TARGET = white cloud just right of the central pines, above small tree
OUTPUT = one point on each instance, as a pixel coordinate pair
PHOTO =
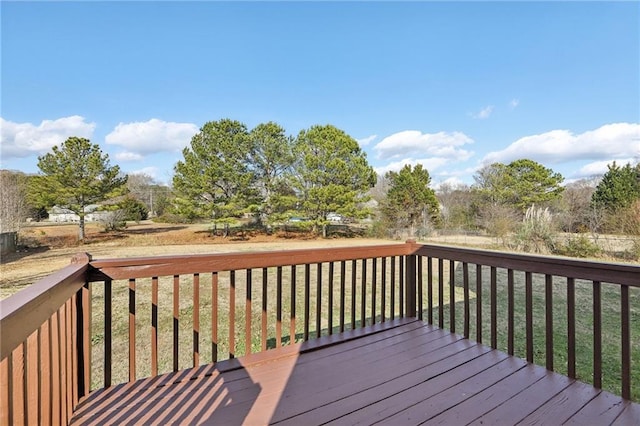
(413, 143)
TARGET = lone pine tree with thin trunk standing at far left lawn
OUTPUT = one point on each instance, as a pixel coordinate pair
(76, 175)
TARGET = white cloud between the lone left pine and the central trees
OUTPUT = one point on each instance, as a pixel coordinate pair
(152, 136)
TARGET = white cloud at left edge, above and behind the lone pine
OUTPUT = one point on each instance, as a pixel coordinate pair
(25, 139)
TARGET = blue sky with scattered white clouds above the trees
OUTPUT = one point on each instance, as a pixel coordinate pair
(450, 85)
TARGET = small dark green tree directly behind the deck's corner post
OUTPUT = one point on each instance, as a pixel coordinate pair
(410, 202)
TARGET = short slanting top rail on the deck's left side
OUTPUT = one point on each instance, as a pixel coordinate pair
(23, 312)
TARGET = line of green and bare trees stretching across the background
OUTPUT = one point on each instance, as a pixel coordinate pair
(229, 171)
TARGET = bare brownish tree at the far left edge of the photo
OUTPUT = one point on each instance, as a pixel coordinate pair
(13, 197)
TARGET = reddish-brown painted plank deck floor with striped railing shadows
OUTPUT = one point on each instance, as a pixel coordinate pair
(400, 372)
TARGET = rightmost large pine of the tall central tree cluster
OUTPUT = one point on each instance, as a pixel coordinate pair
(331, 175)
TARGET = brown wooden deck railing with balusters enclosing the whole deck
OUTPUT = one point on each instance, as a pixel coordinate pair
(102, 322)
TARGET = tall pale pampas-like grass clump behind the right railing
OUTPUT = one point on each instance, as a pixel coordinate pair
(536, 233)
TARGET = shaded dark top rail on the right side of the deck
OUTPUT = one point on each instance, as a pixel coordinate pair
(617, 273)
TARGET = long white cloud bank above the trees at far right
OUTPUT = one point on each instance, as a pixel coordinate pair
(617, 140)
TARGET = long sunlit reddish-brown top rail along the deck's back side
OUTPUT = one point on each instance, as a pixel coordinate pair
(144, 267)
